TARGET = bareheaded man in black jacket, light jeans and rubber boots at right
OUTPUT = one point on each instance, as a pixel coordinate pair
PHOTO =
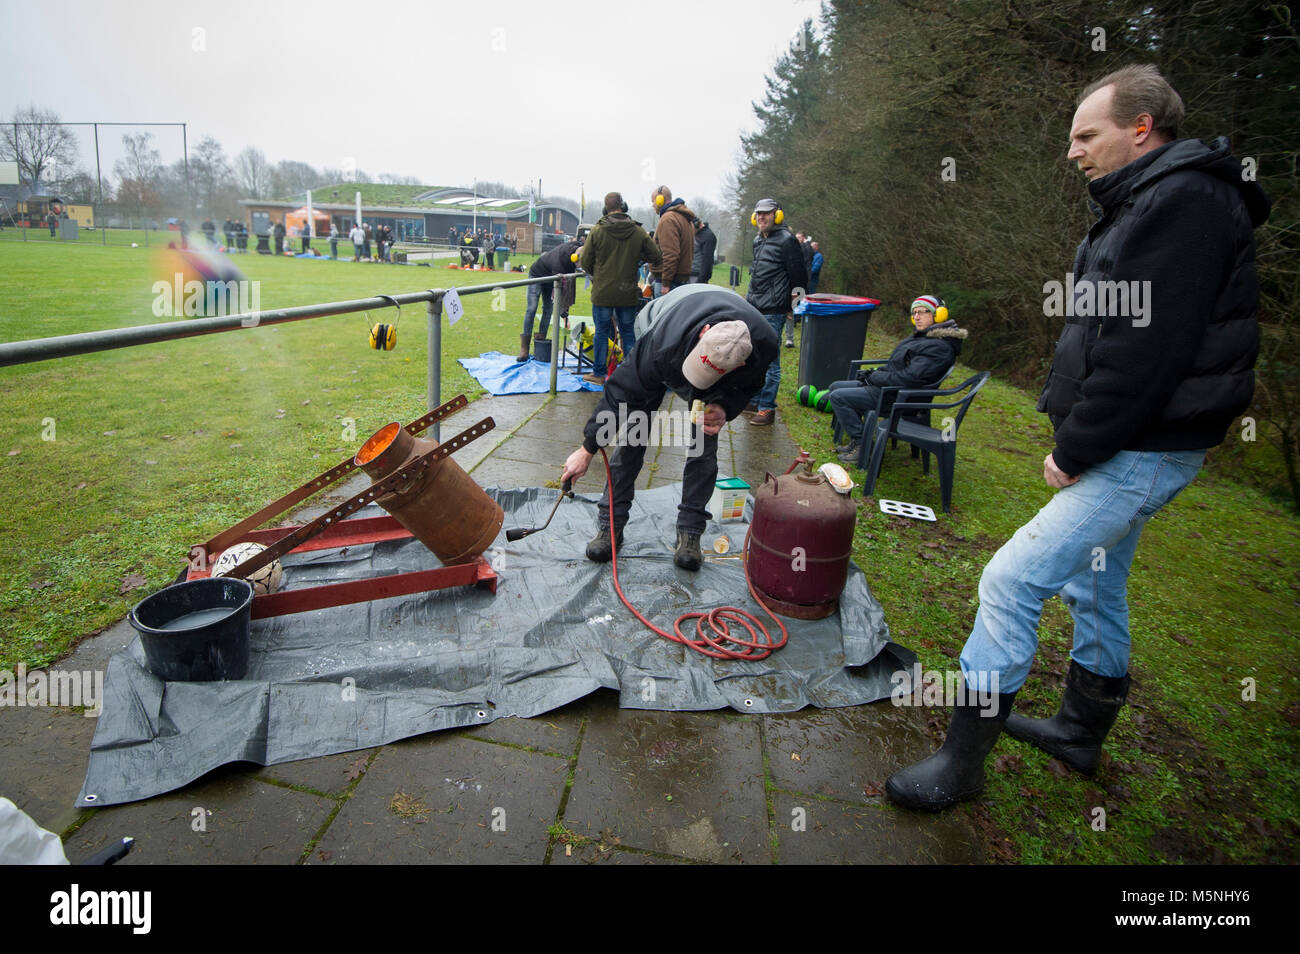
(1154, 366)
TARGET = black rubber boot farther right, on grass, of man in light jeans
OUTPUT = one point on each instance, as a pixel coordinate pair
(1076, 734)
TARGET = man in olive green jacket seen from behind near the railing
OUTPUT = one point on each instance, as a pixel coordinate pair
(612, 255)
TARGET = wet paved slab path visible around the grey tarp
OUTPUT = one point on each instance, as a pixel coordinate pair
(584, 784)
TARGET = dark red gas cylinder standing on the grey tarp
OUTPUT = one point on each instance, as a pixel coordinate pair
(800, 544)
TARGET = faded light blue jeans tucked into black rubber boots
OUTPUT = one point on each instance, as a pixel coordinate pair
(1081, 545)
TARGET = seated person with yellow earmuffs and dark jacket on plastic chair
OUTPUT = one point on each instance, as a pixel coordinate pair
(921, 361)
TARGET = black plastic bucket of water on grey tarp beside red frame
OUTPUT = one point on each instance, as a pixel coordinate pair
(197, 631)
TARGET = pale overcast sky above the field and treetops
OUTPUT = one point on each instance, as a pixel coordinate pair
(614, 96)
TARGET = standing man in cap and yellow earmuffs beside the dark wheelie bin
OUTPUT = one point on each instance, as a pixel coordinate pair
(777, 275)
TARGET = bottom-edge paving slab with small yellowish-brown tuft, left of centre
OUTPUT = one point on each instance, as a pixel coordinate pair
(444, 799)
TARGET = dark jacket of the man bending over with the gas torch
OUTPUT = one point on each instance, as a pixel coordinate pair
(642, 383)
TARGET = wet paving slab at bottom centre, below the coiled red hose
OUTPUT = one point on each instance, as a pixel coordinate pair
(679, 783)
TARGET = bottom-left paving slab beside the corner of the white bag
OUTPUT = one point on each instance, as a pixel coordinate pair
(244, 821)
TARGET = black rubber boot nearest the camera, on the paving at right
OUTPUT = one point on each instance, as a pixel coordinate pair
(956, 773)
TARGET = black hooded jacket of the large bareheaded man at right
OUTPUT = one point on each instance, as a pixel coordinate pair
(1172, 371)
